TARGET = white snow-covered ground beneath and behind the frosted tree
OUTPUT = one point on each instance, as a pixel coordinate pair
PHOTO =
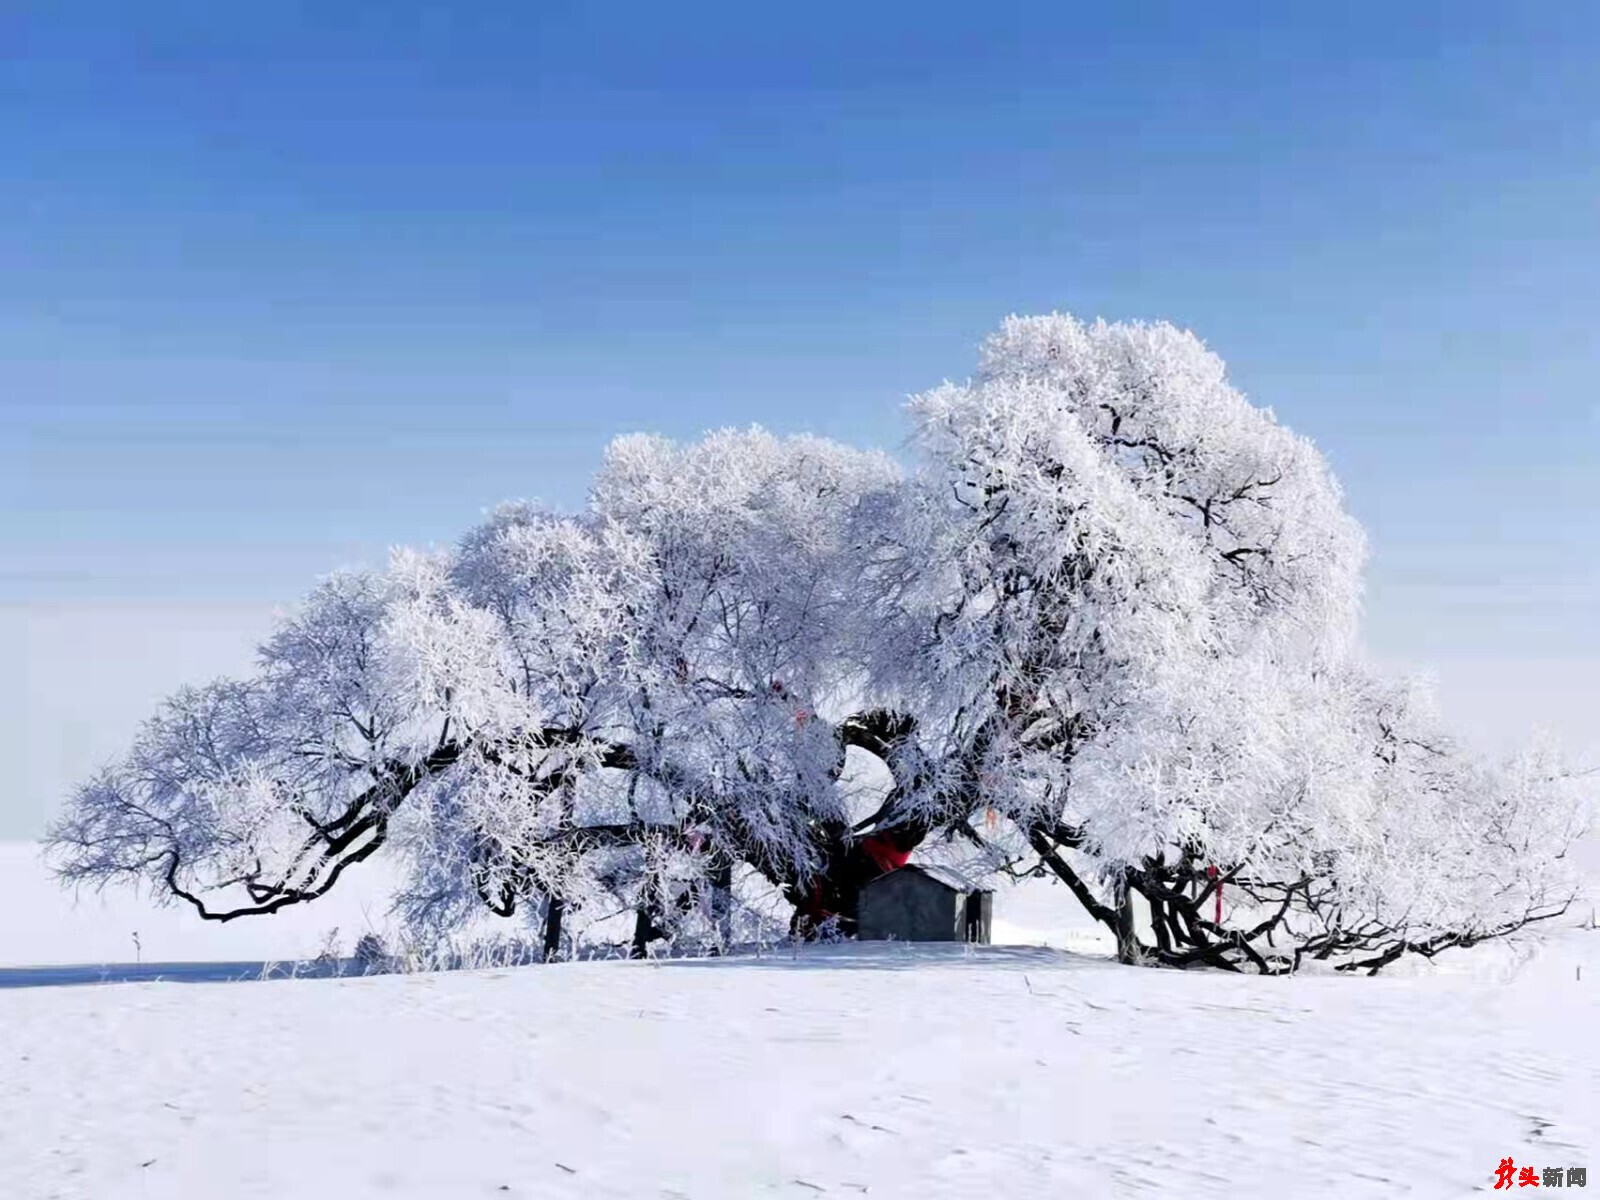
(849, 1071)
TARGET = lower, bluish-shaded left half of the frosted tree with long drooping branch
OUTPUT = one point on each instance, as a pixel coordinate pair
(620, 705)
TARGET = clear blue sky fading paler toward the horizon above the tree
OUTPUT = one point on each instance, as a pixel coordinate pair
(284, 286)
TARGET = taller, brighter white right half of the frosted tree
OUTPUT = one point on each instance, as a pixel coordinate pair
(1135, 638)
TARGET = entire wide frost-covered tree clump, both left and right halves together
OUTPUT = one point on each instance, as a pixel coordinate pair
(1113, 610)
